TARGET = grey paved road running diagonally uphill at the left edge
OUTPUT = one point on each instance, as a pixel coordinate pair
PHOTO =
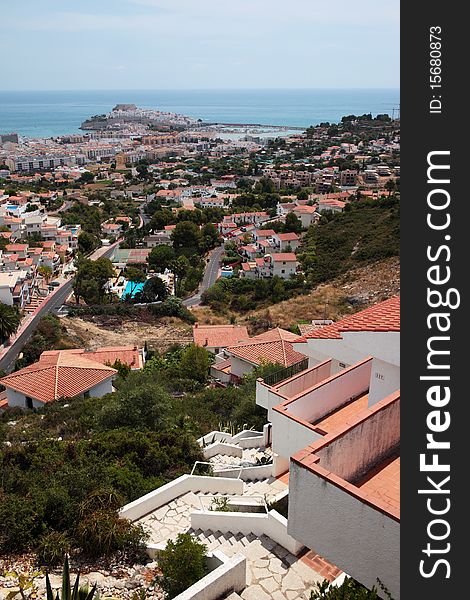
(54, 301)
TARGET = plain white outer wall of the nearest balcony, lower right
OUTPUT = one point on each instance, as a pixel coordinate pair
(359, 539)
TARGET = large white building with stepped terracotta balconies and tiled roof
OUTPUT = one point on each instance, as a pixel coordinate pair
(335, 427)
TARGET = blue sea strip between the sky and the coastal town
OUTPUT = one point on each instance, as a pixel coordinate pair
(47, 114)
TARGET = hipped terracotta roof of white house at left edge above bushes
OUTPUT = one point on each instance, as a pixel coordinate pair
(61, 375)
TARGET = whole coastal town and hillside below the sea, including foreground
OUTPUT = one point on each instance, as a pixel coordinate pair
(200, 322)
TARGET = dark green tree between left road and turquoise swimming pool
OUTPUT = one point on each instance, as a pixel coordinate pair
(91, 278)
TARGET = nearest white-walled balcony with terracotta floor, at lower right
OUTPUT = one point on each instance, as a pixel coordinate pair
(344, 495)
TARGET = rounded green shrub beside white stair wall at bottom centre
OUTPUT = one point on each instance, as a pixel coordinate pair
(182, 563)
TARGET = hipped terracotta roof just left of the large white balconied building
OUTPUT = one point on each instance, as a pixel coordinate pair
(272, 346)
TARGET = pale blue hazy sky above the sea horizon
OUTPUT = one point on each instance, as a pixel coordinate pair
(199, 44)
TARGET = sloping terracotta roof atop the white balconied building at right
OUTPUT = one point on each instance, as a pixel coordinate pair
(384, 316)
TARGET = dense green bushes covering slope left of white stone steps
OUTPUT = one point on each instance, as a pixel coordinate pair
(101, 453)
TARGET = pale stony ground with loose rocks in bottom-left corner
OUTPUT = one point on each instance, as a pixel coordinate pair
(113, 581)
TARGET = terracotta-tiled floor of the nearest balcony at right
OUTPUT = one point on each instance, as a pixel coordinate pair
(383, 482)
